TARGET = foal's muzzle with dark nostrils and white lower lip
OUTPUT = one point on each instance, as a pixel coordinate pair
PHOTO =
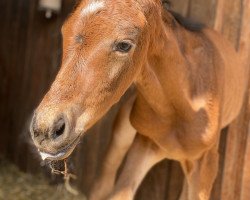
(53, 138)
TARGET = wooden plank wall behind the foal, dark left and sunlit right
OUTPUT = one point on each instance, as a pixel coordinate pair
(29, 59)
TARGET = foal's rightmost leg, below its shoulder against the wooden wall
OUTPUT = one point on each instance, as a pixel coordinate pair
(200, 175)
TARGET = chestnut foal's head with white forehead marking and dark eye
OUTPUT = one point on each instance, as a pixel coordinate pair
(104, 45)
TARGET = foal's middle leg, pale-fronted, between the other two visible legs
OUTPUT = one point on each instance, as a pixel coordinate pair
(142, 155)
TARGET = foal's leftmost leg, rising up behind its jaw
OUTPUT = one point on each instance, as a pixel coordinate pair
(122, 138)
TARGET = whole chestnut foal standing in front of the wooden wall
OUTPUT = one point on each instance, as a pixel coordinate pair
(189, 84)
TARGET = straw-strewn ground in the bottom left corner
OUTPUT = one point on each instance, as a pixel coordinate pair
(16, 185)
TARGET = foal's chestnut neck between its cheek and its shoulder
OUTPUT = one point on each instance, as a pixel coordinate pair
(163, 79)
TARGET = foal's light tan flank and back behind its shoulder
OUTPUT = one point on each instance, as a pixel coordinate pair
(235, 77)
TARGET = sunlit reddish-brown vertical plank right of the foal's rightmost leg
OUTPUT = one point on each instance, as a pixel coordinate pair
(234, 157)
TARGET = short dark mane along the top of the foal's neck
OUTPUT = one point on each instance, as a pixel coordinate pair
(183, 21)
